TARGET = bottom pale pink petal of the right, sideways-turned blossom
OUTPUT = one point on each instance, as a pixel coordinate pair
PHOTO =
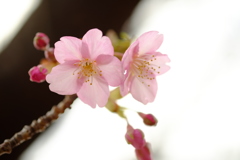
(144, 92)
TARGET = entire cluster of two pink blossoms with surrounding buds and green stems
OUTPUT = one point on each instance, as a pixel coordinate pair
(88, 66)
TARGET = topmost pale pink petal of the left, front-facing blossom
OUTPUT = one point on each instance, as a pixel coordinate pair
(97, 44)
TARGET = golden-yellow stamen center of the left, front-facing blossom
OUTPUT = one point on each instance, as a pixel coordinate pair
(86, 69)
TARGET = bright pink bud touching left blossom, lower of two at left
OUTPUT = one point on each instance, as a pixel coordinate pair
(37, 74)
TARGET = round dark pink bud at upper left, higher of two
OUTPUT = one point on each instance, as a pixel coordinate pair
(41, 41)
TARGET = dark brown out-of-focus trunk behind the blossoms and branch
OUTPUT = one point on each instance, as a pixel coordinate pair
(23, 101)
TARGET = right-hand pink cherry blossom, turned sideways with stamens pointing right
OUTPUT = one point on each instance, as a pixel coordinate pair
(142, 64)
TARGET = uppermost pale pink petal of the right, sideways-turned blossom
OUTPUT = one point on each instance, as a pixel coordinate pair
(149, 42)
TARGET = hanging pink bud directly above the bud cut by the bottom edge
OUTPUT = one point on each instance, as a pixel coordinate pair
(135, 137)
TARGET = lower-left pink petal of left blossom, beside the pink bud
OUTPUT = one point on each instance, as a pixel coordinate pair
(63, 81)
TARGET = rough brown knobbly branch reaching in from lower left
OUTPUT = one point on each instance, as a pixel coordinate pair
(36, 126)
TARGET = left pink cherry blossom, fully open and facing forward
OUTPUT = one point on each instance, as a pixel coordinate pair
(86, 68)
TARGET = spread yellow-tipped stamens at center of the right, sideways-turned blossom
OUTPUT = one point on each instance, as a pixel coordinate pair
(144, 67)
